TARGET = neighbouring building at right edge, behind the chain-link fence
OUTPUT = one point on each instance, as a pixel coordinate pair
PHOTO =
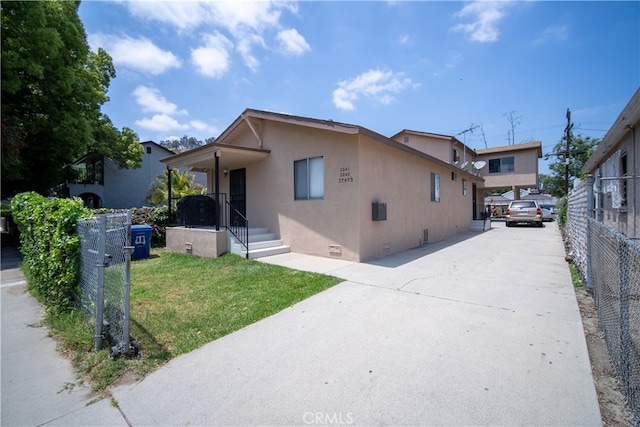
(615, 166)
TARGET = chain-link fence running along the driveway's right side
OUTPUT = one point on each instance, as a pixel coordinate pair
(610, 263)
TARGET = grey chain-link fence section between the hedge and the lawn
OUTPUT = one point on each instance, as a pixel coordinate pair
(105, 243)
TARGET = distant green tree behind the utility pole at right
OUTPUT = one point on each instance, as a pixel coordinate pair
(580, 149)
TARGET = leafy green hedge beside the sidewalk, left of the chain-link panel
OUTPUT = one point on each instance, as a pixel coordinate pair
(51, 247)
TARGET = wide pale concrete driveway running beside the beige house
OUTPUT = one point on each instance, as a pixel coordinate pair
(480, 330)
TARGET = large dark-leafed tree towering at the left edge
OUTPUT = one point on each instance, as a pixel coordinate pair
(53, 87)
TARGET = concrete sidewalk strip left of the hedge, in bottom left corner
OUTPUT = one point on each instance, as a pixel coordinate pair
(39, 387)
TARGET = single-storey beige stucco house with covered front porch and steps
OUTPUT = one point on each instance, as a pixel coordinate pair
(325, 188)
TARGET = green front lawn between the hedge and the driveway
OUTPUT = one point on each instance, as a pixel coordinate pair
(180, 302)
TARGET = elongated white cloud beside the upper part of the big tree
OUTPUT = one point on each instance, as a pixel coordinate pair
(139, 54)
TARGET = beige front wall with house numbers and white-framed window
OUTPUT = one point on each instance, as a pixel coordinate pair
(308, 226)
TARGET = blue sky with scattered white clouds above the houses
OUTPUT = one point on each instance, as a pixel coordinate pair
(190, 68)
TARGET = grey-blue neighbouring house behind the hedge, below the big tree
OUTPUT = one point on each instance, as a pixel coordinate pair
(102, 184)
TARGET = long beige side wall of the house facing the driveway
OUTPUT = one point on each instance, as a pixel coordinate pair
(403, 182)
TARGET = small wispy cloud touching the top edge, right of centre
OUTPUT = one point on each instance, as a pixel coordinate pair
(485, 16)
